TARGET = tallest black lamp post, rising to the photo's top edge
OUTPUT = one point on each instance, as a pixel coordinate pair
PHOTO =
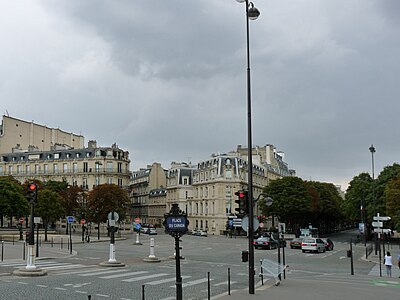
(252, 13)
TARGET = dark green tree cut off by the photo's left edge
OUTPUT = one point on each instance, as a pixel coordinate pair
(12, 199)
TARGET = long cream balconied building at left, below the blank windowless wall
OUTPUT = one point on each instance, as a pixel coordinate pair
(84, 167)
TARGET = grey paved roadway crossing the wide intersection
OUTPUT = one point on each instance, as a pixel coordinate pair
(80, 276)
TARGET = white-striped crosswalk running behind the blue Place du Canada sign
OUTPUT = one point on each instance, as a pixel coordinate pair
(145, 277)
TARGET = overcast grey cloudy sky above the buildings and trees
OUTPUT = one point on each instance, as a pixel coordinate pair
(166, 80)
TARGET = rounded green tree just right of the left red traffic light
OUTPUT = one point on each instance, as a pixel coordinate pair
(49, 207)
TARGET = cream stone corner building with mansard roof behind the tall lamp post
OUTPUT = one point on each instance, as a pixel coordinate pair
(215, 181)
